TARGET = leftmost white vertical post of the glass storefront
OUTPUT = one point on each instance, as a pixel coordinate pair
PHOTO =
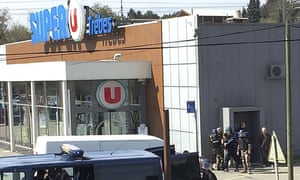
(10, 116)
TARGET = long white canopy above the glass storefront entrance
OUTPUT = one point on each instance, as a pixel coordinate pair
(80, 70)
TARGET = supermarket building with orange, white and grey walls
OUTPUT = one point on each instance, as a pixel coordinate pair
(225, 71)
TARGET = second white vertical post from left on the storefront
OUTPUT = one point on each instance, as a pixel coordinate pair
(33, 114)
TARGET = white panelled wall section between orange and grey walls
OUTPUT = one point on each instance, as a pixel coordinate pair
(180, 74)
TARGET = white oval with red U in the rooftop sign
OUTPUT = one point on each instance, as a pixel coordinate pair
(76, 17)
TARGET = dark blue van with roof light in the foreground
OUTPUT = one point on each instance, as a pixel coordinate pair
(74, 164)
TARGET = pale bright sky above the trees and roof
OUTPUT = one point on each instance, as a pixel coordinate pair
(19, 10)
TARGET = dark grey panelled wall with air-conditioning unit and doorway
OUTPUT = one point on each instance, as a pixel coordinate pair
(234, 69)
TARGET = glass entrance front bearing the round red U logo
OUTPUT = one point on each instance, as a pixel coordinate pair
(94, 117)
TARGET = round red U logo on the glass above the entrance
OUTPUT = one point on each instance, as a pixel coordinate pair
(111, 94)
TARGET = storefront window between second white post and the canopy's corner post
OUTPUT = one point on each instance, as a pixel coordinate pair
(49, 108)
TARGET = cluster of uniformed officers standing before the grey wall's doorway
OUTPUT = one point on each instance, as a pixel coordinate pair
(229, 145)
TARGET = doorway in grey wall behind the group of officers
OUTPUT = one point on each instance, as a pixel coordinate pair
(253, 118)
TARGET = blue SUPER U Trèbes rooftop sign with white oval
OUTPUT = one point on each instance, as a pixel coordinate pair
(59, 23)
